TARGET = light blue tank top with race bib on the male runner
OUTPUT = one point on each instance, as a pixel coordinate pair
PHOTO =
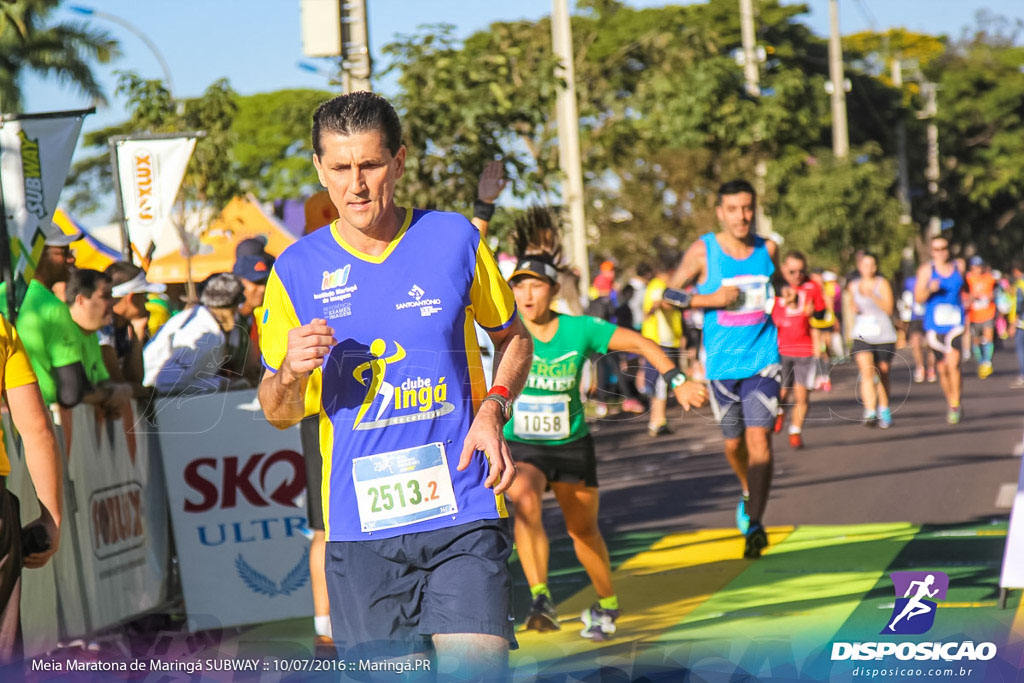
(742, 341)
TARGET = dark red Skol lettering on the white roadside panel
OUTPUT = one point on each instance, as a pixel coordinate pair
(220, 483)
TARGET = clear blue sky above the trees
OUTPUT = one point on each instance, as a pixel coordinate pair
(257, 45)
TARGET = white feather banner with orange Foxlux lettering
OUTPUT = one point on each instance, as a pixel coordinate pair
(151, 173)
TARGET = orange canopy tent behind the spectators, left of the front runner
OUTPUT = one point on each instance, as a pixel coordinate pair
(242, 219)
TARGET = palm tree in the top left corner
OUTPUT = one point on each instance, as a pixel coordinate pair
(30, 44)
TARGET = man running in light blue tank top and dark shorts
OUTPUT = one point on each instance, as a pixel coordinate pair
(735, 271)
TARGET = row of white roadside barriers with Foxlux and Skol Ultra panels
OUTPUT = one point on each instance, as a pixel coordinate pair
(236, 488)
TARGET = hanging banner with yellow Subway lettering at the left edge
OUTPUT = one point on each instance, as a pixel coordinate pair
(35, 156)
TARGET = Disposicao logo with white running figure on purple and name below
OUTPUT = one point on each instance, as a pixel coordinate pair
(918, 594)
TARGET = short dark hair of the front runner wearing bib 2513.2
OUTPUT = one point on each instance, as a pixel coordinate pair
(358, 113)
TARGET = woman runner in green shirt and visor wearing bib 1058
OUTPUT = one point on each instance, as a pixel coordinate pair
(548, 432)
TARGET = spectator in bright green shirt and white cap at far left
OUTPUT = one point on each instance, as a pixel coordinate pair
(46, 326)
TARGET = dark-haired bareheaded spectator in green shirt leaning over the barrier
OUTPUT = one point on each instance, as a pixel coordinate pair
(89, 296)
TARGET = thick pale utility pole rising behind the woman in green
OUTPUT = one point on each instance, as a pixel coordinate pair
(569, 139)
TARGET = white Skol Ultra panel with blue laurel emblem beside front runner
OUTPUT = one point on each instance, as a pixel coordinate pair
(237, 491)
